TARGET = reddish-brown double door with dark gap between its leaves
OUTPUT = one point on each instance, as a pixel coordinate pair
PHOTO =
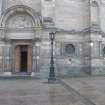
(23, 58)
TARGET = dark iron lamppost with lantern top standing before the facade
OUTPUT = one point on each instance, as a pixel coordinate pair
(52, 69)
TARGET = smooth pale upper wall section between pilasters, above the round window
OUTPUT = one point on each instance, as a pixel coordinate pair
(72, 14)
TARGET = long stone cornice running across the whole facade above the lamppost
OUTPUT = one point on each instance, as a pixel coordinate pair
(57, 30)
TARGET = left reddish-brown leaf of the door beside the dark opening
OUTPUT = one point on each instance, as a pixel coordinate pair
(17, 59)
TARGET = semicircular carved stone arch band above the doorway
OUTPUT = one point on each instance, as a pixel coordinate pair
(20, 9)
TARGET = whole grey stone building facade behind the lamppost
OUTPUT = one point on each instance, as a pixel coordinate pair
(79, 45)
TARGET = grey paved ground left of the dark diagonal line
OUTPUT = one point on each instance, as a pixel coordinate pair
(38, 92)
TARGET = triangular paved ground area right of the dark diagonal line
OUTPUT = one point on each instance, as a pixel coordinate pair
(93, 88)
